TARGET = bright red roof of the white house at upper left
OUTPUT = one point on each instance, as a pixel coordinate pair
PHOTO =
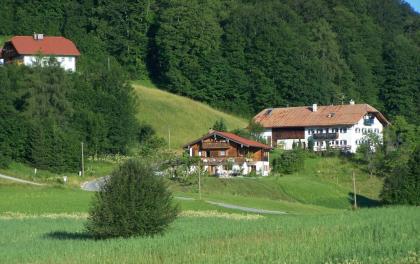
(27, 45)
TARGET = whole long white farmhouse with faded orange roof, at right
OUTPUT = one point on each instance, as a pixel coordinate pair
(341, 127)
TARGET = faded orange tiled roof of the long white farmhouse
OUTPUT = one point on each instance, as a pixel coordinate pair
(324, 116)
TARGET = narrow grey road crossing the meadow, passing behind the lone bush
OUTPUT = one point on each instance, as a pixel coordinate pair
(95, 185)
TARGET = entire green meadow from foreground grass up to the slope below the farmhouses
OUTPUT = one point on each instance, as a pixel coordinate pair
(46, 224)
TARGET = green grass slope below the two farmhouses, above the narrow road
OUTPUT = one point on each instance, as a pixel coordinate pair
(324, 181)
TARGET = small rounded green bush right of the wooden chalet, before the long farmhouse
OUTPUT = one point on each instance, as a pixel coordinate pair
(289, 161)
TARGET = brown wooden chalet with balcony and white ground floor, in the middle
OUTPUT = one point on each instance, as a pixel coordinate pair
(225, 154)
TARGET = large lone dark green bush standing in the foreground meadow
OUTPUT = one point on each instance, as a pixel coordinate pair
(132, 202)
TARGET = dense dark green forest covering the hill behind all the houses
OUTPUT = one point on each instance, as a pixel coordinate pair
(244, 55)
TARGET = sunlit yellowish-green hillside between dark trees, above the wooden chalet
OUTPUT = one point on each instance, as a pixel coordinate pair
(185, 118)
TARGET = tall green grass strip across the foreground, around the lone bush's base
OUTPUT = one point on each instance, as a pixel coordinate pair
(385, 235)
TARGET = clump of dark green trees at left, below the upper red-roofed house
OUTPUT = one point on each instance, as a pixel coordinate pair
(45, 114)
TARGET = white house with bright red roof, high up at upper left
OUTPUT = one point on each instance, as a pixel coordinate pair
(41, 50)
